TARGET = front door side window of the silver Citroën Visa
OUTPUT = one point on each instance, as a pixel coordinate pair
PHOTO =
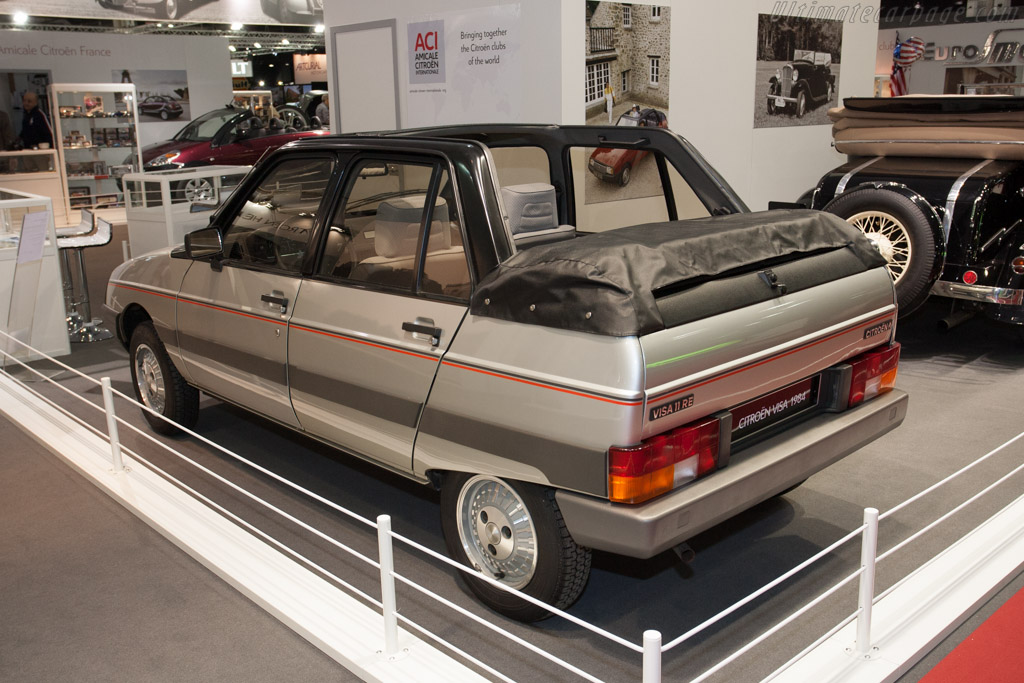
(275, 225)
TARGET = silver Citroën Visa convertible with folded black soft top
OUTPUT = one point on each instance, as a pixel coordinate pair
(568, 383)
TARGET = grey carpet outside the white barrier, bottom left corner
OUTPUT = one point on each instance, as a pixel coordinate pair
(91, 593)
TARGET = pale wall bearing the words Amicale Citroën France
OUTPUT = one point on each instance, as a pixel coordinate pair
(91, 58)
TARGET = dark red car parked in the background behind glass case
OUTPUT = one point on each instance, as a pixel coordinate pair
(230, 137)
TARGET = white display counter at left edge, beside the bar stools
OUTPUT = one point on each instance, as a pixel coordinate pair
(40, 295)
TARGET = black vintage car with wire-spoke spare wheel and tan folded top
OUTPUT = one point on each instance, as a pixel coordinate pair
(938, 185)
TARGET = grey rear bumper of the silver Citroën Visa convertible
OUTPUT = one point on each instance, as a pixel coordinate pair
(755, 475)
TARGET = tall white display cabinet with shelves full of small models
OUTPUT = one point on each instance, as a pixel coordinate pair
(97, 136)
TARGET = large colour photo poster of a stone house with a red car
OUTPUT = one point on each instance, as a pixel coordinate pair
(627, 84)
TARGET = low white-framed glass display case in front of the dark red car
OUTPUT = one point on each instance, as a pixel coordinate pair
(163, 206)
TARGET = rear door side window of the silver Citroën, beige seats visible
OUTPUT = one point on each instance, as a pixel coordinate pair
(375, 235)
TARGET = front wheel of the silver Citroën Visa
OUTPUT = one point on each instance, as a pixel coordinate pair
(162, 388)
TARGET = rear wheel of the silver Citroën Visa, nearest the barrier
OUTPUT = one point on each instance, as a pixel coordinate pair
(539, 559)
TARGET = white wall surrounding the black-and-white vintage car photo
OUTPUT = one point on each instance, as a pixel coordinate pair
(716, 50)
